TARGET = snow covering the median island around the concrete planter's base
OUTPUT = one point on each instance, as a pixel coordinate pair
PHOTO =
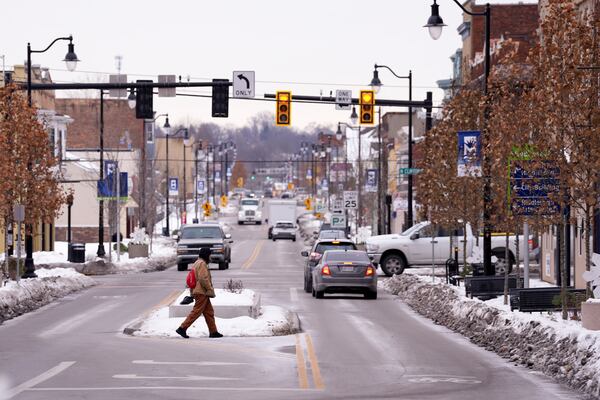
(272, 321)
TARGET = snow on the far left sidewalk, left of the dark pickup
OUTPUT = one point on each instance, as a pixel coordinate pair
(163, 256)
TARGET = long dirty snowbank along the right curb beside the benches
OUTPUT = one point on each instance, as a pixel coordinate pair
(560, 349)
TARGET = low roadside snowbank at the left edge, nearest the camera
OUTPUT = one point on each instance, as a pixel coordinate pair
(30, 294)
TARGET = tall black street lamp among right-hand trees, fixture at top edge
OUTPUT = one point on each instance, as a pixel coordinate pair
(435, 25)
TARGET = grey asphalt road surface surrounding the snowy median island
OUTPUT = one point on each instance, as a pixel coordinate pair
(350, 348)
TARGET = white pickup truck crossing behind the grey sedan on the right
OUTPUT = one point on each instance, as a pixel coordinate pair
(414, 246)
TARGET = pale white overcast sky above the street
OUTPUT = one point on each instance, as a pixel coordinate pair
(307, 46)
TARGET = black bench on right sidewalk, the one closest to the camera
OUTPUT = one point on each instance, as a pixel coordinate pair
(542, 299)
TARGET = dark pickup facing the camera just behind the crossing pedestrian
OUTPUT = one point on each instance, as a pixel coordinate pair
(194, 237)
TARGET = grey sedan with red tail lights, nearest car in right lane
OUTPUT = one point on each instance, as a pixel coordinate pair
(344, 271)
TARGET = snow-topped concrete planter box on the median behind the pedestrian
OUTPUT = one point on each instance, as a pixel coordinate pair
(222, 304)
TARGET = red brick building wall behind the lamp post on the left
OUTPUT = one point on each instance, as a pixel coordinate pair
(84, 132)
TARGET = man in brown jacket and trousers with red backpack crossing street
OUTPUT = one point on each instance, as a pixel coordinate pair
(202, 294)
